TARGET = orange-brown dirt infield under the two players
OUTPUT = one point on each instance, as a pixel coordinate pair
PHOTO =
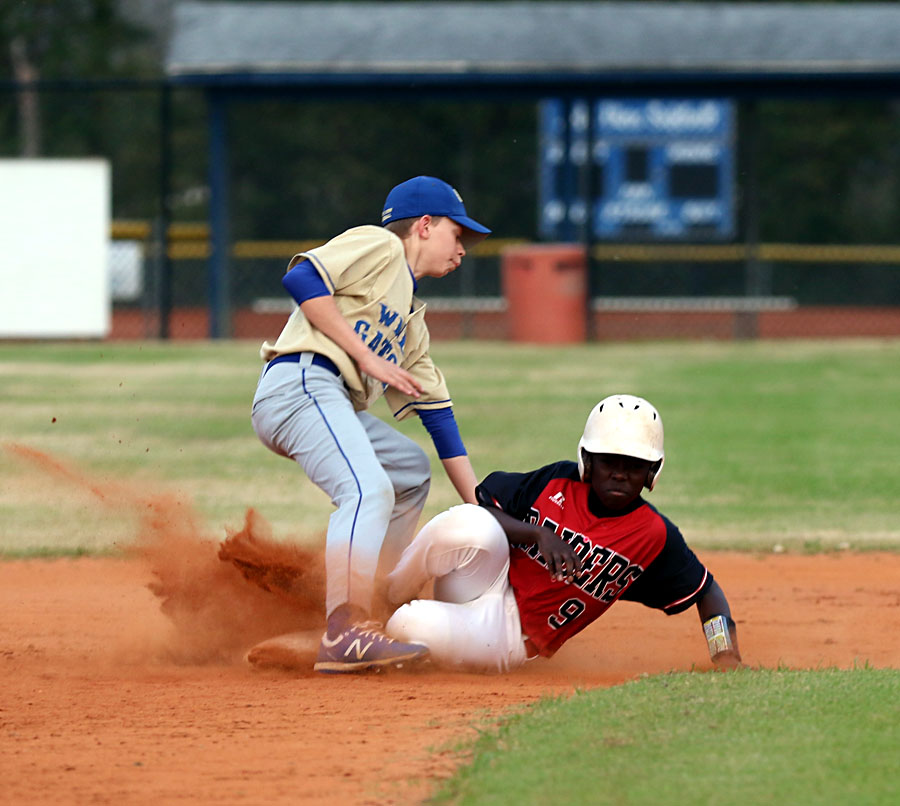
(104, 699)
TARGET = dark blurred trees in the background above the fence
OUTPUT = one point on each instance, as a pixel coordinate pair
(827, 169)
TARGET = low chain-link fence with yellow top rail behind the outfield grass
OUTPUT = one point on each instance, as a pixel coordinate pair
(639, 292)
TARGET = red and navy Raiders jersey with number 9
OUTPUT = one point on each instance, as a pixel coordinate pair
(635, 554)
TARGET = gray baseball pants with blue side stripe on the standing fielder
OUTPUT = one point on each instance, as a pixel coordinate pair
(376, 477)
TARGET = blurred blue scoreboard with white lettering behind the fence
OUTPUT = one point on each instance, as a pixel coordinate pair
(656, 169)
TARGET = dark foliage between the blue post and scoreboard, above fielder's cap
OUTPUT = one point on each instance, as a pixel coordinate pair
(335, 162)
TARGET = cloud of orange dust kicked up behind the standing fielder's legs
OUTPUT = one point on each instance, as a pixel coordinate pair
(216, 612)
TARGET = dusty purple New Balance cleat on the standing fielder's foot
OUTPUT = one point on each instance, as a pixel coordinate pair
(365, 646)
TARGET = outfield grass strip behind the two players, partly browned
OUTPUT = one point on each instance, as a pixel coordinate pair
(766, 443)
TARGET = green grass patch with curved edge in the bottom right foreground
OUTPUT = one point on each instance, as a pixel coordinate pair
(752, 738)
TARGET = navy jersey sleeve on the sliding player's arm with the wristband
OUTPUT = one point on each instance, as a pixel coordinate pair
(675, 579)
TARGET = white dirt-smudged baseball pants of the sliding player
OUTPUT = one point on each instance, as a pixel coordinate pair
(473, 621)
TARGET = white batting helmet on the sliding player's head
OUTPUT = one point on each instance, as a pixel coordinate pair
(625, 425)
